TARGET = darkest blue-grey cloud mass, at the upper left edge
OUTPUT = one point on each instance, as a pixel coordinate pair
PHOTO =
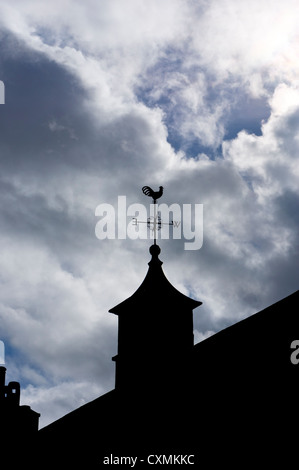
(39, 92)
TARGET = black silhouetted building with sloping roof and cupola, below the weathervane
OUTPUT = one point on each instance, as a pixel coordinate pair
(230, 399)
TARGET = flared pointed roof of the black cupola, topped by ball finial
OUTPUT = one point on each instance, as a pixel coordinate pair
(155, 287)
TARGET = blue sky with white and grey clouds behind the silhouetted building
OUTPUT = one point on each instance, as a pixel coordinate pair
(103, 97)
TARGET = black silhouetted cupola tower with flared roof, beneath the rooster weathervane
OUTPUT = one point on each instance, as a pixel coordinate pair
(155, 334)
